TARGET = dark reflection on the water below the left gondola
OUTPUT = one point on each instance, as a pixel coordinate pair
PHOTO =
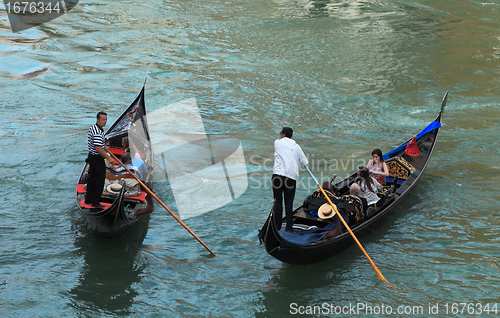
(112, 267)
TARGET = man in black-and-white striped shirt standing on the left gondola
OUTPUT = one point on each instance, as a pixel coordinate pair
(97, 155)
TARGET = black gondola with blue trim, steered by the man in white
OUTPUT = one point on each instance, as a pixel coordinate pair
(405, 171)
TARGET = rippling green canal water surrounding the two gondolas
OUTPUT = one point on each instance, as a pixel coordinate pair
(347, 76)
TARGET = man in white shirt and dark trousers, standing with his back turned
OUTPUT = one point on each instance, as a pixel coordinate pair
(287, 156)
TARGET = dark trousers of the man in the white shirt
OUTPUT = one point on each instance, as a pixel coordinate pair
(283, 186)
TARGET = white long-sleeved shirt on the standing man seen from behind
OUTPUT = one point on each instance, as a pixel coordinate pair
(287, 156)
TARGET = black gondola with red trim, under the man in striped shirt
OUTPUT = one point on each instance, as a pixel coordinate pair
(123, 198)
